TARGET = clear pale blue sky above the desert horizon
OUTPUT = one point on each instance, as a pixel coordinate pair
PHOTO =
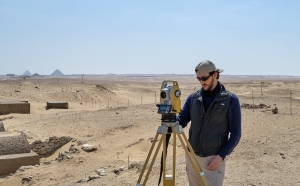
(149, 37)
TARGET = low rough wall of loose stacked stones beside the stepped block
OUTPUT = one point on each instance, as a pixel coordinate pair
(49, 146)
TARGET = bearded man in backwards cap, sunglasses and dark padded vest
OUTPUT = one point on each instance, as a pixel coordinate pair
(215, 130)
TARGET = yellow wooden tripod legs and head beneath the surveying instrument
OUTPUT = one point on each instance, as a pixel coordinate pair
(169, 180)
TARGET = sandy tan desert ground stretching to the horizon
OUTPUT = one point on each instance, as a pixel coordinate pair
(118, 115)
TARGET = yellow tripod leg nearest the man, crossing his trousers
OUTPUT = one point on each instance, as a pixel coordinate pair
(198, 170)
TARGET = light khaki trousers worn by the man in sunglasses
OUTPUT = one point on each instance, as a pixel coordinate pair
(215, 177)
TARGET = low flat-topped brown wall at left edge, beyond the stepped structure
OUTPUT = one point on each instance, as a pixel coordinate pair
(20, 107)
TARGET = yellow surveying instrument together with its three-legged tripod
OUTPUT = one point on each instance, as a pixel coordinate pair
(169, 106)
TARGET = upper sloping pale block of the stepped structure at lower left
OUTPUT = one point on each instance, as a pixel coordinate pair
(14, 145)
